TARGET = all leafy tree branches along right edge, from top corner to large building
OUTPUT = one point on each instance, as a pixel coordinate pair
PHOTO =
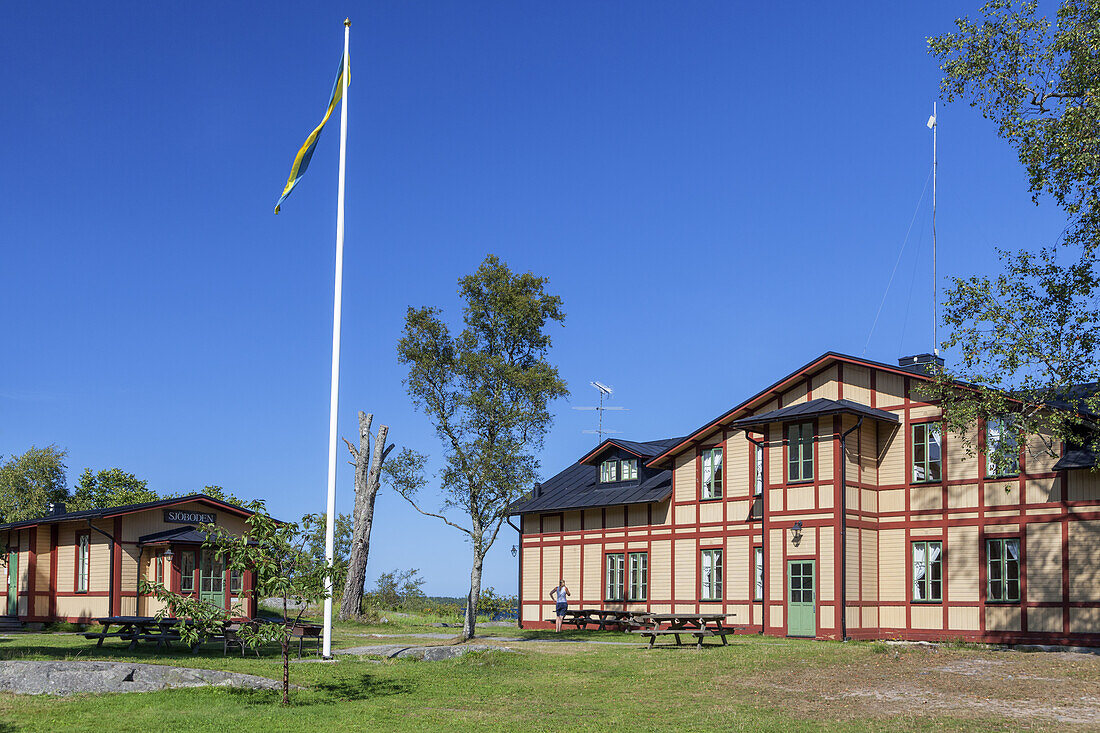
(1028, 338)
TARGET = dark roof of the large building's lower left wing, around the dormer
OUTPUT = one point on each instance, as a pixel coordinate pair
(578, 487)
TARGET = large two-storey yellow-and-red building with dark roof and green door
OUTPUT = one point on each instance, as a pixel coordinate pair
(828, 506)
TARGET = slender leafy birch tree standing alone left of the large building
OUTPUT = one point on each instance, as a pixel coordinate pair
(488, 393)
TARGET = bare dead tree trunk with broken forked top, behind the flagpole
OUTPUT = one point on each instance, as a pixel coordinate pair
(368, 482)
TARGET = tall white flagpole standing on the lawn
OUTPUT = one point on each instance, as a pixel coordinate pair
(335, 395)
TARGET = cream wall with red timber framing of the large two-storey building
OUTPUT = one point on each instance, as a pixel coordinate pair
(1055, 516)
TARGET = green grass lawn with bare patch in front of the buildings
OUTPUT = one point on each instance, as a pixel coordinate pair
(755, 684)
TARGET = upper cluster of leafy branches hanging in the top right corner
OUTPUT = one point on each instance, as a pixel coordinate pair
(1038, 82)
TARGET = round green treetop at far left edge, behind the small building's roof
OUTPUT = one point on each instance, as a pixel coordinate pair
(32, 482)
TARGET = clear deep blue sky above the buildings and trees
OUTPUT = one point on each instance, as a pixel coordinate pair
(719, 192)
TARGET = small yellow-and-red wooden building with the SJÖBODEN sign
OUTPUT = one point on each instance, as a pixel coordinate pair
(76, 566)
